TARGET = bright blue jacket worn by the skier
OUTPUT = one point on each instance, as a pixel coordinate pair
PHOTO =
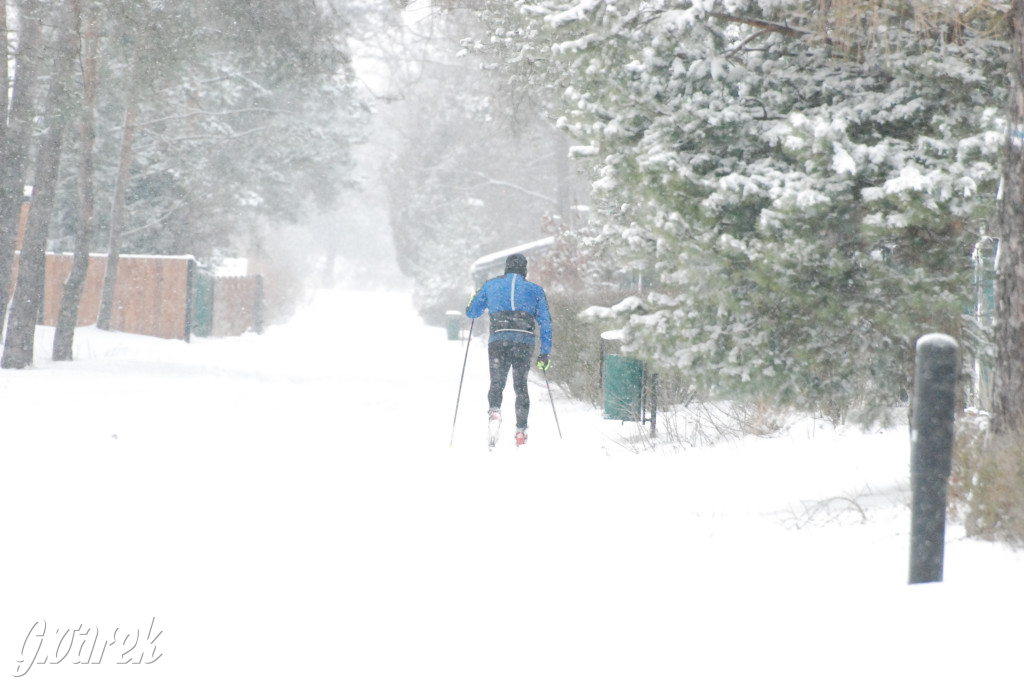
(517, 307)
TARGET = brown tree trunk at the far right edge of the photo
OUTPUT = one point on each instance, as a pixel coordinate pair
(1008, 381)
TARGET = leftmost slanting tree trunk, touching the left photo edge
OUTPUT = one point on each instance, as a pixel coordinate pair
(16, 143)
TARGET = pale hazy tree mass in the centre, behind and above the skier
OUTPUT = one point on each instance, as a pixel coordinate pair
(472, 166)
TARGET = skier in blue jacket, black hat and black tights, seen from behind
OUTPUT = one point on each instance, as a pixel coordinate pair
(518, 309)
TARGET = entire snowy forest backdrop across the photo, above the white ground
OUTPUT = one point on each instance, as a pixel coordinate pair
(772, 199)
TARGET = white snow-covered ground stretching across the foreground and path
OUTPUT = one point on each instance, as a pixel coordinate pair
(286, 509)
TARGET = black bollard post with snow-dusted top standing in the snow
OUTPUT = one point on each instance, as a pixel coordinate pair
(931, 453)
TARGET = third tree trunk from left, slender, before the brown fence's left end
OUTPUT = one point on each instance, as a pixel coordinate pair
(64, 337)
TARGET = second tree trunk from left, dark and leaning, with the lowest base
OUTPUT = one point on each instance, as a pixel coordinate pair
(26, 307)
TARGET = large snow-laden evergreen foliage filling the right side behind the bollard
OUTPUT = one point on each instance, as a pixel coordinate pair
(804, 186)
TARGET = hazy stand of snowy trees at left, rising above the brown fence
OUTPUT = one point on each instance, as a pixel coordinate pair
(181, 127)
